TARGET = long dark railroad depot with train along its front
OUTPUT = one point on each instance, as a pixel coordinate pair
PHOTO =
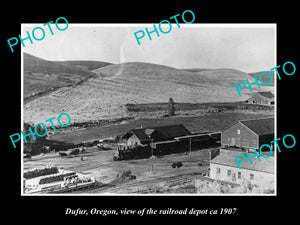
(157, 141)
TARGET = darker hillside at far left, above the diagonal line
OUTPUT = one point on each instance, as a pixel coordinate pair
(42, 76)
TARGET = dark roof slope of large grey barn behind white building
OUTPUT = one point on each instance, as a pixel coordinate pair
(260, 126)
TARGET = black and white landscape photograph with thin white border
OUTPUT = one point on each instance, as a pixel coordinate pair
(131, 109)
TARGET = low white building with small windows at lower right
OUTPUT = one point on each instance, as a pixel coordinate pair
(224, 167)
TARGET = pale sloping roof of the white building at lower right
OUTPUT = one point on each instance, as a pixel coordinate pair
(227, 158)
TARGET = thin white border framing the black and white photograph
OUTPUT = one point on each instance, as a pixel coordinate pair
(204, 25)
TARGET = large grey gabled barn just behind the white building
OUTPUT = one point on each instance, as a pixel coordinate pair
(248, 134)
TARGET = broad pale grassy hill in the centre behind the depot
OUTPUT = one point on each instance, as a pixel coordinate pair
(105, 95)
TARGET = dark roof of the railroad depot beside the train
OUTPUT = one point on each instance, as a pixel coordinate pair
(167, 132)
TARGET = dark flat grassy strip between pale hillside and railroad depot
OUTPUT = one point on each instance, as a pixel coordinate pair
(208, 122)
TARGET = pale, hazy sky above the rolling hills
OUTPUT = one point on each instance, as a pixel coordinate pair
(246, 47)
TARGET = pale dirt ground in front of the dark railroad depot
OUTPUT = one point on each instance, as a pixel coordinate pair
(154, 173)
